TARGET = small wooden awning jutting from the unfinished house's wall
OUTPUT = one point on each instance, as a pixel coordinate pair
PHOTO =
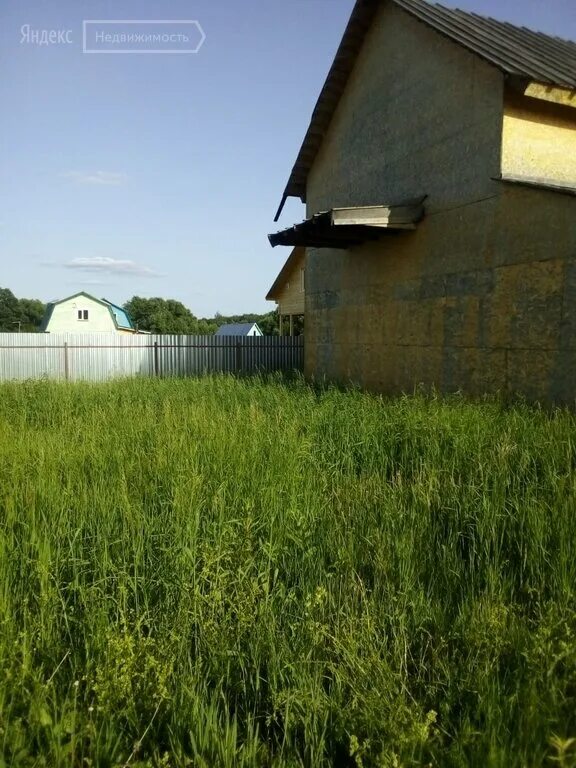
(347, 227)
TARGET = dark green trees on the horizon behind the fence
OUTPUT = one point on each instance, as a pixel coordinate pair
(156, 315)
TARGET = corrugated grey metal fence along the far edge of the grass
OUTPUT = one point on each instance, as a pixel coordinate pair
(103, 356)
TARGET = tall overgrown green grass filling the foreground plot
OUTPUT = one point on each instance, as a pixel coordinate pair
(223, 572)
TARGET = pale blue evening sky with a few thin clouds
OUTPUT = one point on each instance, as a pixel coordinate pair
(159, 175)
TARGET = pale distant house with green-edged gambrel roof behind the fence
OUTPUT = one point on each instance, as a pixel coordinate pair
(82, 313)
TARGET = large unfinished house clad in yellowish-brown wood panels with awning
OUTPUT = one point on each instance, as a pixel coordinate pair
(439, 176)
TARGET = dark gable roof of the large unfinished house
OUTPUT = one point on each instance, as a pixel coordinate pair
(516, 51)
